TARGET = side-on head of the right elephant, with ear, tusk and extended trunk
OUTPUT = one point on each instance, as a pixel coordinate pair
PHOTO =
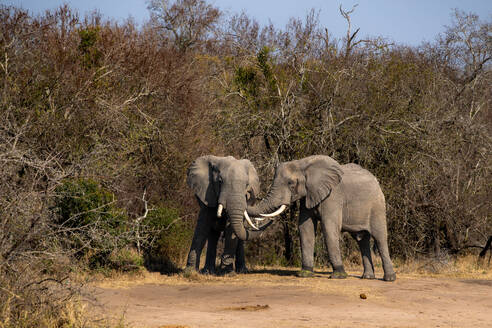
(312, 177)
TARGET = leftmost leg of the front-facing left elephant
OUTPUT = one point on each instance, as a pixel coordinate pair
(199, 238)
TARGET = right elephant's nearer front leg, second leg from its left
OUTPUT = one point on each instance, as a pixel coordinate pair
(331, 227)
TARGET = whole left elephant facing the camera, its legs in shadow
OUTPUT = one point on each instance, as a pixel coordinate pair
(223, 187)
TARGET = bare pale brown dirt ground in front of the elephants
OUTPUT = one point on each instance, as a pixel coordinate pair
(276, 298)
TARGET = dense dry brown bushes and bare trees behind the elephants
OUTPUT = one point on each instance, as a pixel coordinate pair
(100, 119)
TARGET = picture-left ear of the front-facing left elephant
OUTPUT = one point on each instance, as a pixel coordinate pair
(200, 178)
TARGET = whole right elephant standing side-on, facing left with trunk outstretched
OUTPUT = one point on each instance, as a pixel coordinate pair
(343, 198)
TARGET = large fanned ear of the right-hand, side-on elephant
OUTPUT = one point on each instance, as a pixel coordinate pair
(321, 177)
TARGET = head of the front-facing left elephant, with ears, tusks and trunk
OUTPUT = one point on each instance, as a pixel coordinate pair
(229, 185)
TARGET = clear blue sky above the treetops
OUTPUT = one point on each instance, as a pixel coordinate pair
(404, 21)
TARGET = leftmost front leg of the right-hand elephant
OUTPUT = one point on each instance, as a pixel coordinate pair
(307, 232)
